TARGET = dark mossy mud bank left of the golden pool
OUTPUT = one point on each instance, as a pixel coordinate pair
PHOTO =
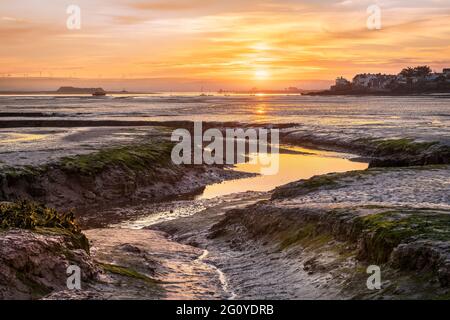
(136, 173)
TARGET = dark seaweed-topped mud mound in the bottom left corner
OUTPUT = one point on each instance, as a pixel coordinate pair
(34, 263)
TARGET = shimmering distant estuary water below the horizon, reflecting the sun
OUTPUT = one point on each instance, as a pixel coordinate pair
(425, 117)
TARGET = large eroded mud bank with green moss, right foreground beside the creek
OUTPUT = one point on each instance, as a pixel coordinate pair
(332, 227)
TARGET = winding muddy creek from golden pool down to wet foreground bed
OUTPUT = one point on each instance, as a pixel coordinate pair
(190, 265)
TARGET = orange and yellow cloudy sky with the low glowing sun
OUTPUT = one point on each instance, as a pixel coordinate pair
(241, 43)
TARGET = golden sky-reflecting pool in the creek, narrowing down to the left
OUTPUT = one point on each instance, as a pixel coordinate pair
(295, 163)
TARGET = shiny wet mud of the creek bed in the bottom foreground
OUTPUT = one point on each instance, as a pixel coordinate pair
(181, 270)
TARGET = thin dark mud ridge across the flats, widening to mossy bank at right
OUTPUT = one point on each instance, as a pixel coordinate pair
(386, 151)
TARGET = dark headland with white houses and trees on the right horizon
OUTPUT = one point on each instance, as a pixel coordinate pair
(410, 80)
